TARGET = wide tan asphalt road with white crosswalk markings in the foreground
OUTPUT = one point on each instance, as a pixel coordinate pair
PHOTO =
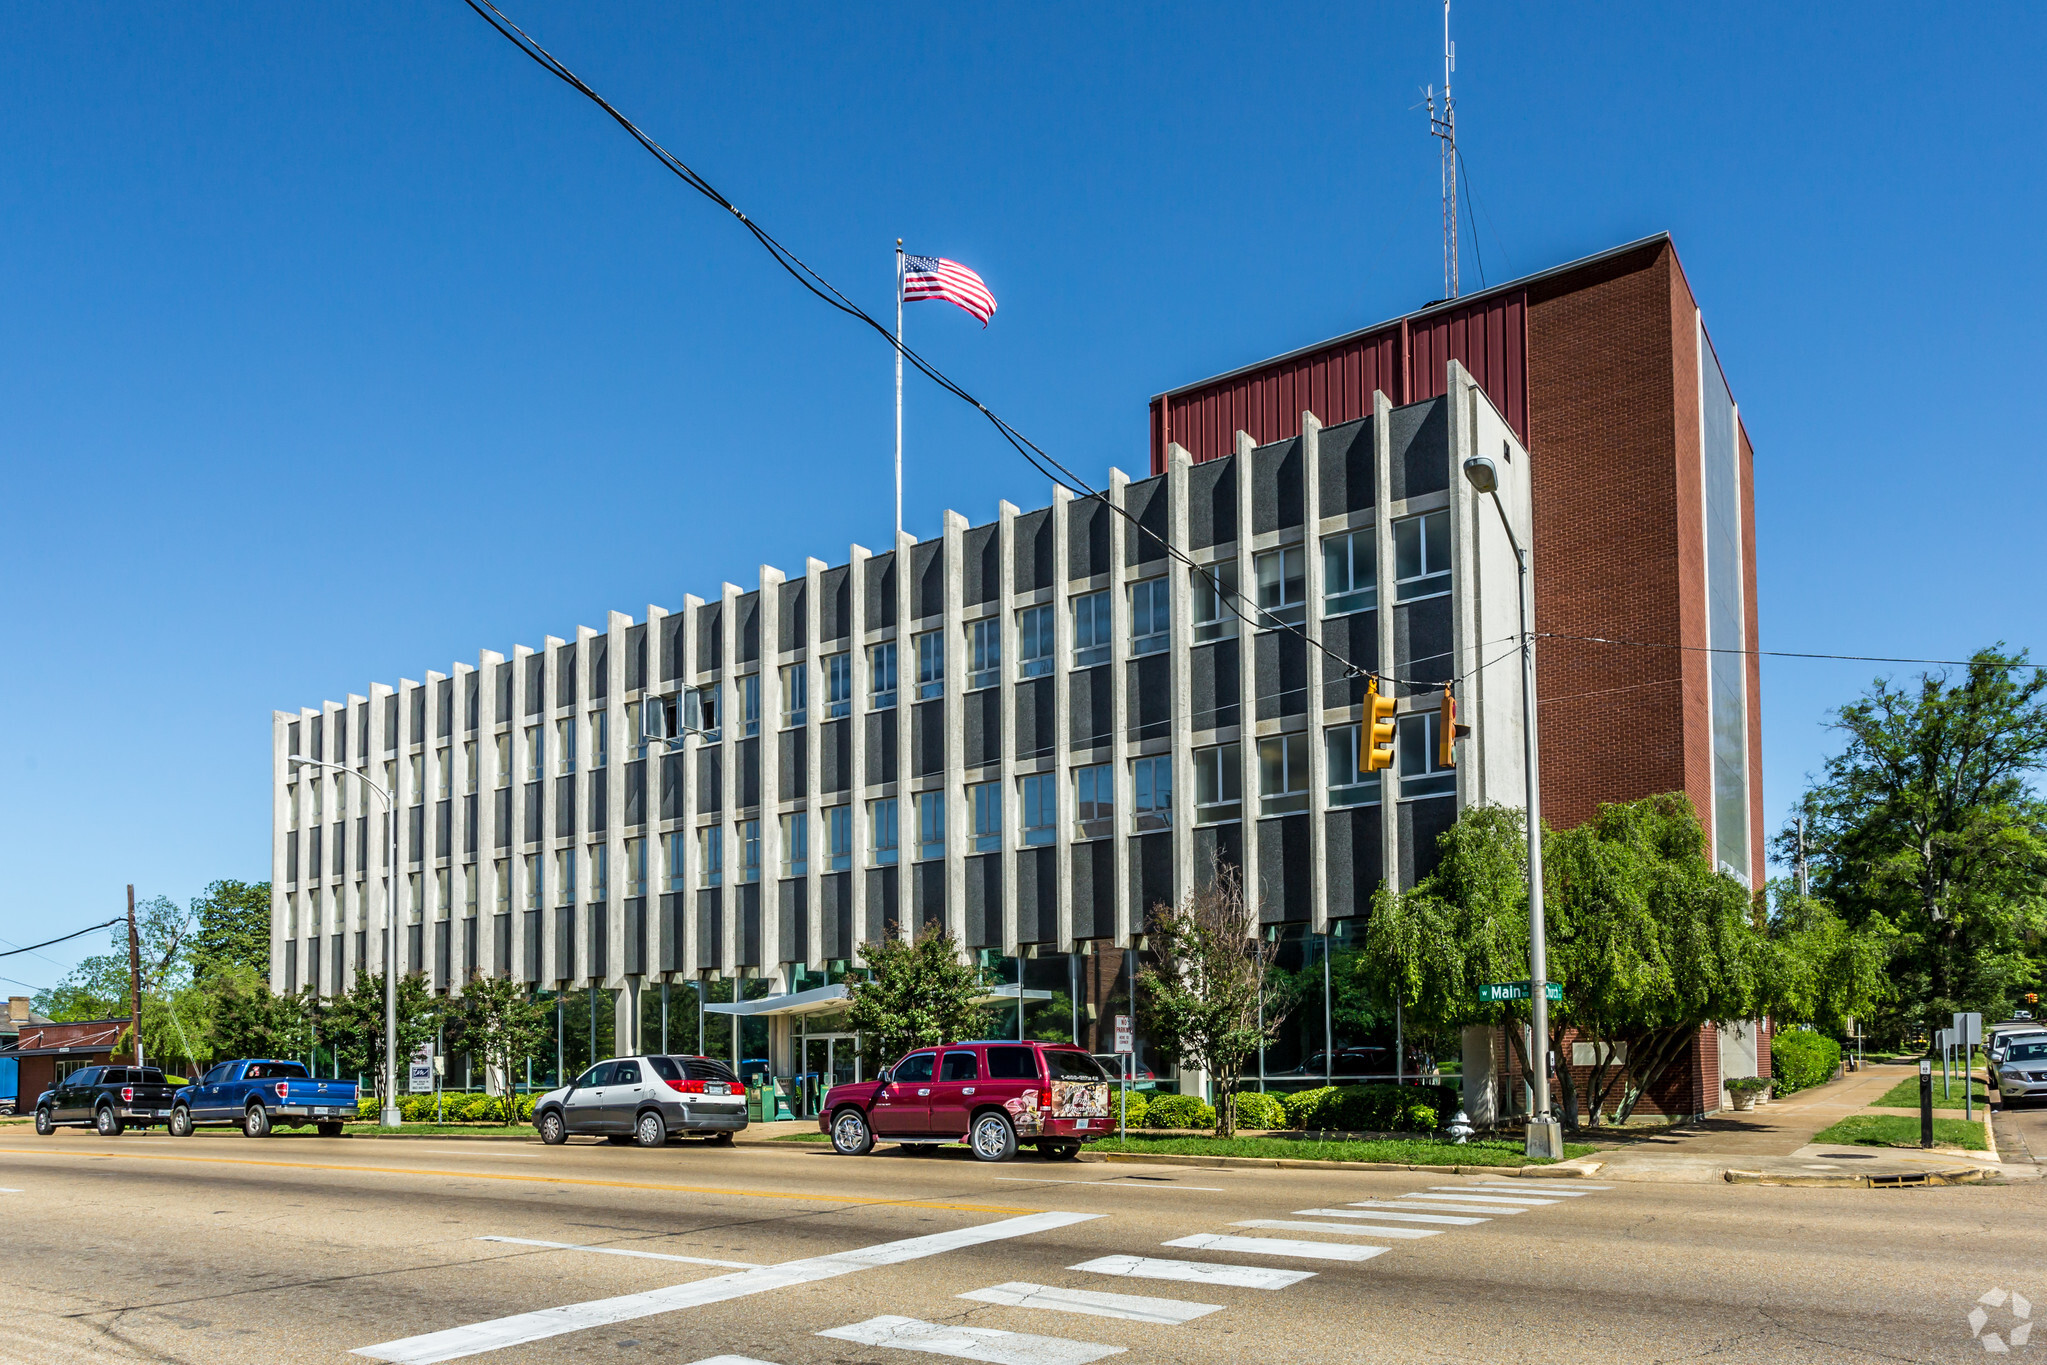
(300, 1249)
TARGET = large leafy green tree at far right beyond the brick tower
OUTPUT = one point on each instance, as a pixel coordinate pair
(1927, 822)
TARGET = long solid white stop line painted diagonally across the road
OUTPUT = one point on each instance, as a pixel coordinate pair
(519, 1329)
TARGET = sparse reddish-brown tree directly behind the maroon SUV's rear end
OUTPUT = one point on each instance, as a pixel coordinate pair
(1203, 998)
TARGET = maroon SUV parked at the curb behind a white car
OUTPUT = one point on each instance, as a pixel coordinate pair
(994, 1096)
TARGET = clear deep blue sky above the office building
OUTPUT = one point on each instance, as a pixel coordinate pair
(341, 343)
